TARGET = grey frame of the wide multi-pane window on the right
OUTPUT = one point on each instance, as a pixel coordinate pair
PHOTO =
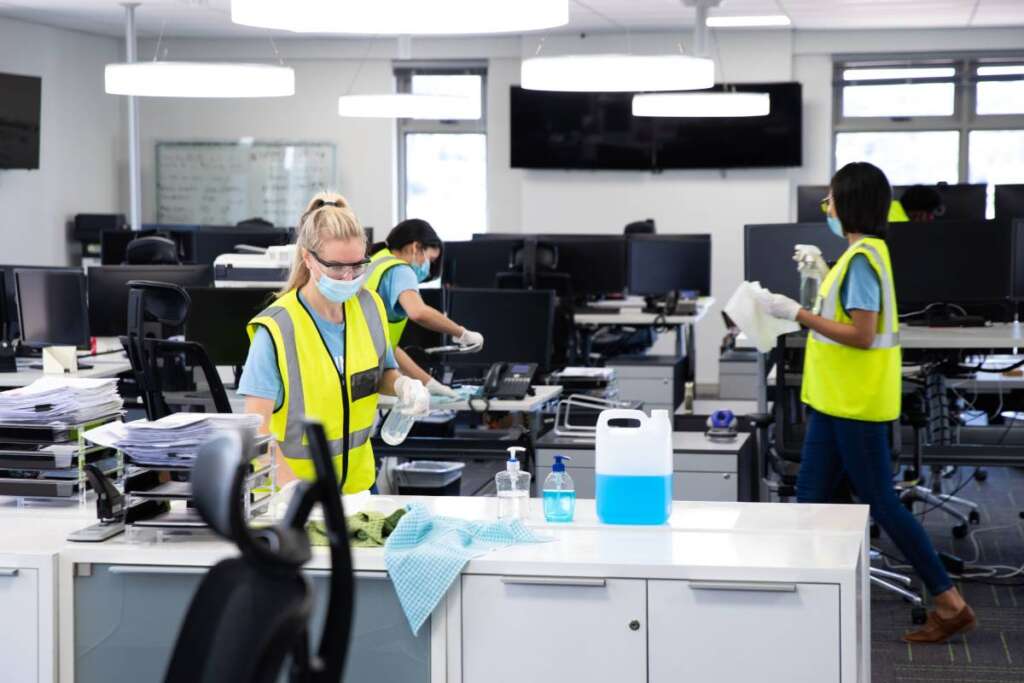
(965, 118)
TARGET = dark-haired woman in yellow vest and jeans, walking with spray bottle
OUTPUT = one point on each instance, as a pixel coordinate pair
(852, 386)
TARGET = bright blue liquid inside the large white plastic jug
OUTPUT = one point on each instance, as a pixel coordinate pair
(634, 500)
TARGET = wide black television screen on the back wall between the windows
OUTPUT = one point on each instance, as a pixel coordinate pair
(598, 131)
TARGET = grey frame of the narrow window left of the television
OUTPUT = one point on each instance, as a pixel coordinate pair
(404, 73)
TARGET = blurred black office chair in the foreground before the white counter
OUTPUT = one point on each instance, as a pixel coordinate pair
(251, 613)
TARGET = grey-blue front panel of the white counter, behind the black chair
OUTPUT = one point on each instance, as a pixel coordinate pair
(127, 620)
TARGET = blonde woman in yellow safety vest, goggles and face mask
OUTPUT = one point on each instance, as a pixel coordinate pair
(321, 351)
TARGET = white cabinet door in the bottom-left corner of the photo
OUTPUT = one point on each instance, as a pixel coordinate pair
(20, 624)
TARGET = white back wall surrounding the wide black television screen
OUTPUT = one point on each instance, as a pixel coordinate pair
(554, 201)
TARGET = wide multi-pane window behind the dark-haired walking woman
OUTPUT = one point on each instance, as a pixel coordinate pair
(932, 120)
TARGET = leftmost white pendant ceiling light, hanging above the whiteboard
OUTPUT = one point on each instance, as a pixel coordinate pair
(196, 79)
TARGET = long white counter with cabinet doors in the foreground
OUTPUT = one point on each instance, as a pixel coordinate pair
(598, 604)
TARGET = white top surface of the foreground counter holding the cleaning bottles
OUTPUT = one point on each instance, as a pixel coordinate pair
(717, 541)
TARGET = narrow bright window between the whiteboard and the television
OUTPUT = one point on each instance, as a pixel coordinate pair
(443, 165)
